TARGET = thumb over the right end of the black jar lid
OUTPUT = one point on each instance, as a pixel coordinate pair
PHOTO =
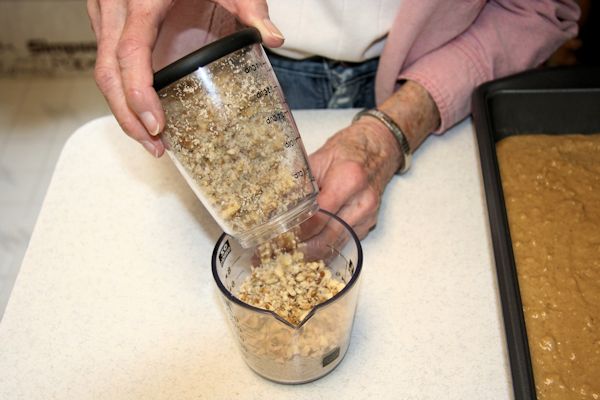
(255, 13)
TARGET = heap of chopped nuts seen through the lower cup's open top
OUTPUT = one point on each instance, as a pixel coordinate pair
(285, 283)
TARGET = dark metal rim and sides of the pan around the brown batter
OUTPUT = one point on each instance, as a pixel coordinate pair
(550, 101)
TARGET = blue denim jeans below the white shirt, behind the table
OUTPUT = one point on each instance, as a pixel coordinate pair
(321, 83)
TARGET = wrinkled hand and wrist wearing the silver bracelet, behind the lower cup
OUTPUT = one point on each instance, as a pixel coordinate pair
(354, 166)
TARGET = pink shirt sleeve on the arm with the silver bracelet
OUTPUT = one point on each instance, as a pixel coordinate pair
(507, 37)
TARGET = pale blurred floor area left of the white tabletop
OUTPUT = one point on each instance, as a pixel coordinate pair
(37, 115)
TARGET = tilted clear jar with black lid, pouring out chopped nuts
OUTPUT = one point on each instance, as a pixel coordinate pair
(230, 133)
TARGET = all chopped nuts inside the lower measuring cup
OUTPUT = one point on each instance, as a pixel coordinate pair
(285, 282)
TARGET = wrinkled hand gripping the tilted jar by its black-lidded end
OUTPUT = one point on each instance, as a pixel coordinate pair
(126, 31)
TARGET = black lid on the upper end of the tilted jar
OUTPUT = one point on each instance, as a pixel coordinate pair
(205, 55)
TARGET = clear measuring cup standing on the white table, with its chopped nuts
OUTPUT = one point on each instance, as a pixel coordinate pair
(276, 346)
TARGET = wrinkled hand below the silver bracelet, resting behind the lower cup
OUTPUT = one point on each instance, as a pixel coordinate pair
(352, 170)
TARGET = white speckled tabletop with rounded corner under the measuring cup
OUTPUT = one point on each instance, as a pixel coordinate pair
(115, 299)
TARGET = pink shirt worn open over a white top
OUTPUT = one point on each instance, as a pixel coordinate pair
(449, 47)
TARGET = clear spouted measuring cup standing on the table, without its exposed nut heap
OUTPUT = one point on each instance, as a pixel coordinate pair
(272, 346)
